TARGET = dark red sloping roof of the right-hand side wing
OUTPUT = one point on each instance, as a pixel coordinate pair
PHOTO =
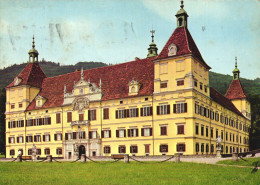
(222, 100)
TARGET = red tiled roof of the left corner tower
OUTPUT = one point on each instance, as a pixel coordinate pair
(32, 75)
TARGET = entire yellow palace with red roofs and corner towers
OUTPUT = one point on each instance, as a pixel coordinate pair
(160, 105)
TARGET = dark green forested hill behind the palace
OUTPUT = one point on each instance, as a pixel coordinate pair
(218, 81)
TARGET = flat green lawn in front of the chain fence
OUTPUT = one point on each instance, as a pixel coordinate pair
(121, 173)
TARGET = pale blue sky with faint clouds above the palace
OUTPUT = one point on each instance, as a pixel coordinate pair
(116, 31)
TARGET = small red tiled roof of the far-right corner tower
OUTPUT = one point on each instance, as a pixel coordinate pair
(235, 90)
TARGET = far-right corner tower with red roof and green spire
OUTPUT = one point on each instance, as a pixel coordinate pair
(237, 94)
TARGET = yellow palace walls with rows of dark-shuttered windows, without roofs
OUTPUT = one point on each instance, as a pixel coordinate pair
(180, 116)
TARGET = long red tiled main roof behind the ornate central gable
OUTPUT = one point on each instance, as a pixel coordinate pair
(114, 79)
